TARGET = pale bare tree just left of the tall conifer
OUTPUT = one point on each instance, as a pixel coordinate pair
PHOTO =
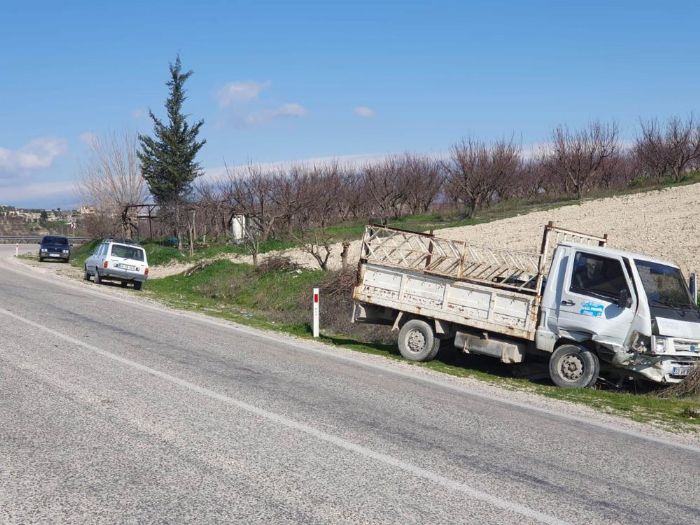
(111, 176)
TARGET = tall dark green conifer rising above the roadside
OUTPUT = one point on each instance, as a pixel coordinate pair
(168, 159)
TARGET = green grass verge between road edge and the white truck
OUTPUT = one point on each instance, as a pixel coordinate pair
(279, 300)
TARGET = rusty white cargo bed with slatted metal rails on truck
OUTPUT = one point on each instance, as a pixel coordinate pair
(492, 290)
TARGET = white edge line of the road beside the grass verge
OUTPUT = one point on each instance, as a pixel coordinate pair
(351, 358)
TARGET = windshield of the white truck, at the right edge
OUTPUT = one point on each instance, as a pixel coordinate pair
(664, 285)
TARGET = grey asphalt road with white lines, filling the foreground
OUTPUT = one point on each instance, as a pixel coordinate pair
(114, 410)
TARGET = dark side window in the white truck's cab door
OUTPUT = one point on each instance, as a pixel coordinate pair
(597, 276)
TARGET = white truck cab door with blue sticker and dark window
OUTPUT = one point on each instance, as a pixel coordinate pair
(589, 305)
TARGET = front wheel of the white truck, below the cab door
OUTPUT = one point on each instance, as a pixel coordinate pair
(574, 366)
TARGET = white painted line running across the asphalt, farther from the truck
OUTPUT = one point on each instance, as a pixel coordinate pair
(307, 429)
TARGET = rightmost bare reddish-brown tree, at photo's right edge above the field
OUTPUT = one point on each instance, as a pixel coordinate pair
(669, 151)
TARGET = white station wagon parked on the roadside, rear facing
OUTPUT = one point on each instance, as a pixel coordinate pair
(123, 261)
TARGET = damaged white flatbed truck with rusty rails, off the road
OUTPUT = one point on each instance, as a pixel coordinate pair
(577, 301)
